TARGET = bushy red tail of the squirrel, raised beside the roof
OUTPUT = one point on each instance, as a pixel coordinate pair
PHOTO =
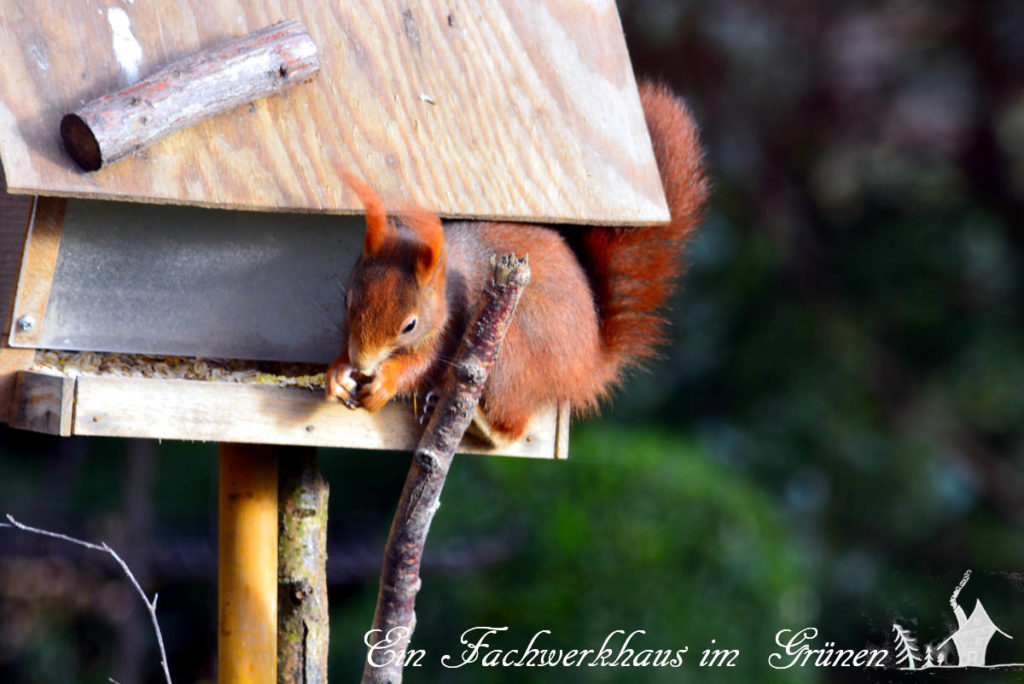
(634, 271)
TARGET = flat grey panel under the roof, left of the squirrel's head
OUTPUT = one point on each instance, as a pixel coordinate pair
(182, 281)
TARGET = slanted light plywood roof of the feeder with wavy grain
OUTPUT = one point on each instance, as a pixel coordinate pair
(497, 109)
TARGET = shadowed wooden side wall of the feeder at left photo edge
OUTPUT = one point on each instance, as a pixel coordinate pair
(14, 223)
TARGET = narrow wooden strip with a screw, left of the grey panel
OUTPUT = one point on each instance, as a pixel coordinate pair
(36, 278)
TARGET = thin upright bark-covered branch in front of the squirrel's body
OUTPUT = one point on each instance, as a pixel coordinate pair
(396, 617)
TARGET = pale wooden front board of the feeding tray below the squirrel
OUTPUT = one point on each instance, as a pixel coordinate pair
(260, 414)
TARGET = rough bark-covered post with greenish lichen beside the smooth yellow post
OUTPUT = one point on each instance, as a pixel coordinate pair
(304, 623)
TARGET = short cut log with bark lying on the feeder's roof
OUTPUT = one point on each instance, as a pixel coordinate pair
(190, 91)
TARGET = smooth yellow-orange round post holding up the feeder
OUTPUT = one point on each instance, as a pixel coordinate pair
(248, 571)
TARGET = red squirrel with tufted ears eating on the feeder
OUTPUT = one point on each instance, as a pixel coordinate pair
(586, 317)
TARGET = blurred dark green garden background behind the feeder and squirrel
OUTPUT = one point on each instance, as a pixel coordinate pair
(836, 436)
